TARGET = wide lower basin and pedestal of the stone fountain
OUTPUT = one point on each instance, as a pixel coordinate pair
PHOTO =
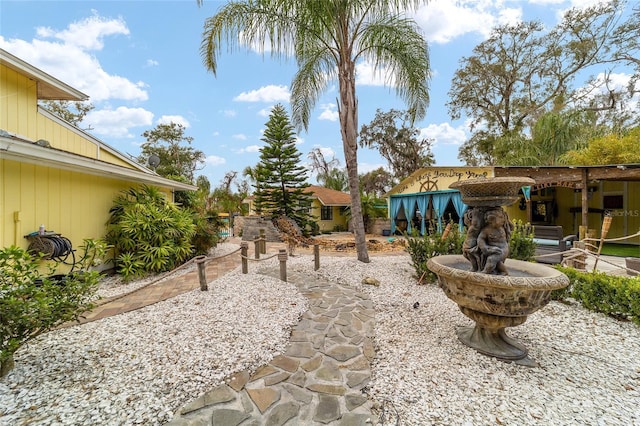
(495, 302)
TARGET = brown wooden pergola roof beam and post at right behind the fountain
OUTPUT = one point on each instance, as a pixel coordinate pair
(577, 177)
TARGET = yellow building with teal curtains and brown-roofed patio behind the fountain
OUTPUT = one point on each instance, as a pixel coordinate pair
(557, 198)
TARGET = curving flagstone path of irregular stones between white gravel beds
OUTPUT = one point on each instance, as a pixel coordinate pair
(319, 380)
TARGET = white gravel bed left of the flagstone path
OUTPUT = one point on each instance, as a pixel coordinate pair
(139, 367)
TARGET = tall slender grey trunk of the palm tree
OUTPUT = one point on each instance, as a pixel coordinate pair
(348, 111)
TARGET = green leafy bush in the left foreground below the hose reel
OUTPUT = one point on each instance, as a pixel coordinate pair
(32, 303)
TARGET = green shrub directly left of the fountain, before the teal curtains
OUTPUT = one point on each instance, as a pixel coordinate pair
(422, 248)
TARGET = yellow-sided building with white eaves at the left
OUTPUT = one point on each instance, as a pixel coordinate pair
(51, 172)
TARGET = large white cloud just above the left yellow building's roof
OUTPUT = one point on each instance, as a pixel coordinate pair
(75, 45)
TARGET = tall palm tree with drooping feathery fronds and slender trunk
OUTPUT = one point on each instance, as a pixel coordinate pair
(328, 38)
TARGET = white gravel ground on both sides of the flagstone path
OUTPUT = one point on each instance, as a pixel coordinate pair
(140, 367)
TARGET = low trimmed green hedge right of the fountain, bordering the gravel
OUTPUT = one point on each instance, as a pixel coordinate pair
(618, 296)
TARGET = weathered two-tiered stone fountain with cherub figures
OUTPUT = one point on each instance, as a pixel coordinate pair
(492, 290)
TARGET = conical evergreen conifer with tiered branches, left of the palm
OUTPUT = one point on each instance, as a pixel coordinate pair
(280, 175)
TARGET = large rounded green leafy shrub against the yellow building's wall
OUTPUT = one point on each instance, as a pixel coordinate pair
(149, 233)
